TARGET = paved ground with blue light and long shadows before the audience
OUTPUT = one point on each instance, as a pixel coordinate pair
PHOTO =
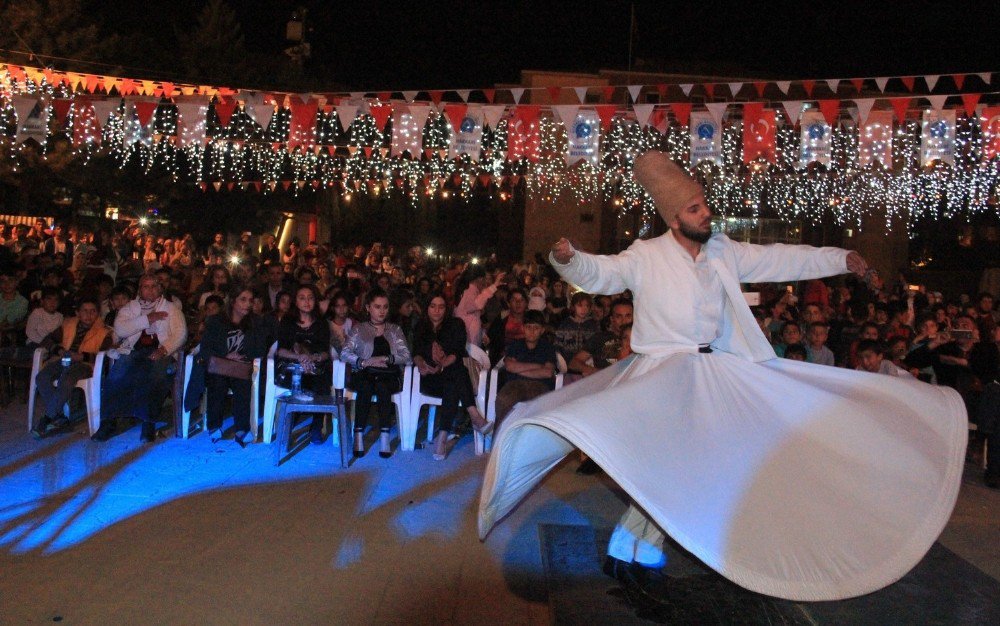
(184, 531)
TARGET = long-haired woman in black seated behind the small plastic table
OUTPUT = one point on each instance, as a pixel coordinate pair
(304, 338)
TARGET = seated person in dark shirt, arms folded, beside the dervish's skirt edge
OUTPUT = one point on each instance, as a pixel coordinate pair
(529, 368)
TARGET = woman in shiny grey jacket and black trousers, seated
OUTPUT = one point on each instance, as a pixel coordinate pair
(375, 350)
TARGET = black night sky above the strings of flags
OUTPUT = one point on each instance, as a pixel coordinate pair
(378, 45)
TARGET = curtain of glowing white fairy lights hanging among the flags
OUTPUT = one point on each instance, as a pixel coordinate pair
(355, 157)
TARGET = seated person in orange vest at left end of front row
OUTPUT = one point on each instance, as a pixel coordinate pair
(80, 338)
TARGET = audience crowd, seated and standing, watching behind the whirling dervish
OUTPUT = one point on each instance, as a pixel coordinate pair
(146, 298)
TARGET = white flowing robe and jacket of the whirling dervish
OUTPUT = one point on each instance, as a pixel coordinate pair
(792, 479)
